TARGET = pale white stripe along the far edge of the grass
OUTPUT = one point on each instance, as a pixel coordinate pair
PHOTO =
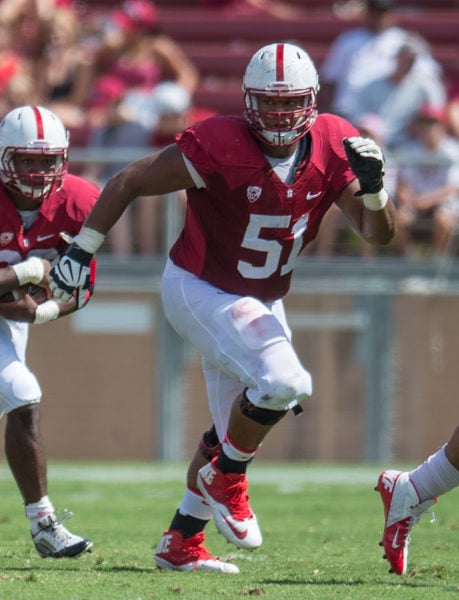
(284, 476)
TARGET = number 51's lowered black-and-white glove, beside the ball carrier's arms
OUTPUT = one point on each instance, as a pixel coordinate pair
(71, 273)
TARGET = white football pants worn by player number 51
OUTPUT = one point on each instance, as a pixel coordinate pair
(244, 343)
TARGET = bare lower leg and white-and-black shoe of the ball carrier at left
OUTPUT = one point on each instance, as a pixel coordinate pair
(25, 455)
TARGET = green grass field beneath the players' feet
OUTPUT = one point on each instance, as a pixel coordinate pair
(321, 527)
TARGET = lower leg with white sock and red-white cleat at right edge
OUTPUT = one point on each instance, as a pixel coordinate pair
(406, 496)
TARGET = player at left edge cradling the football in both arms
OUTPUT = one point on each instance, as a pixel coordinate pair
(42, 207)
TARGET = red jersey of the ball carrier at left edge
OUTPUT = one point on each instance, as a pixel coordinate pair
(63, 212)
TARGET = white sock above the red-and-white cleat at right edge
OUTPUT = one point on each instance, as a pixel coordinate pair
(436, 476)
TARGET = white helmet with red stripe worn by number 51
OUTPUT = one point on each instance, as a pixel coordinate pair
(286, 71)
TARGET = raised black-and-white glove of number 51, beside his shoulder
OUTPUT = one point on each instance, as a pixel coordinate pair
(367, 162)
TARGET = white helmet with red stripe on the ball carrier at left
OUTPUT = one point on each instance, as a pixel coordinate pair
(37, 131)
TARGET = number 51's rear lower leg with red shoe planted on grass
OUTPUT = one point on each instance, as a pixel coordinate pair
(182, 546)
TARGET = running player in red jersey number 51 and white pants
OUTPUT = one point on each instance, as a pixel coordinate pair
(257, 190)
